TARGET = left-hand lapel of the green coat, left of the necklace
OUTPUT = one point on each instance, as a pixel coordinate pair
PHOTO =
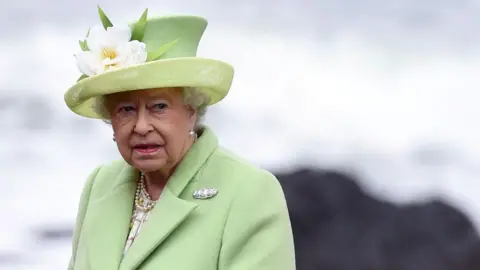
(110, 221)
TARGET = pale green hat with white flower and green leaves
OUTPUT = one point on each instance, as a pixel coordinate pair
(159, 52)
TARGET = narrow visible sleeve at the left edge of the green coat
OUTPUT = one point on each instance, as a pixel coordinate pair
(82, 208)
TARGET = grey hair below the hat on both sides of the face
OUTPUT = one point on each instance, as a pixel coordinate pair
(191, 96)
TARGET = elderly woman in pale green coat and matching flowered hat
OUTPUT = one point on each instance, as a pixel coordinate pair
(177, 200)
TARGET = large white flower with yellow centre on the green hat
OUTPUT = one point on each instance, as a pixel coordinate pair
(110, 48)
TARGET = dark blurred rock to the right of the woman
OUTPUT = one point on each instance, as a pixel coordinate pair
(339, 226)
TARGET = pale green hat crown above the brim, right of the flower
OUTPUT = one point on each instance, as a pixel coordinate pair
(186, 30)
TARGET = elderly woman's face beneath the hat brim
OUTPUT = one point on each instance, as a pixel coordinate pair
(151, 127)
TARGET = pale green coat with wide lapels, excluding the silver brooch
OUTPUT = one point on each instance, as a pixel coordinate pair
(244, 227)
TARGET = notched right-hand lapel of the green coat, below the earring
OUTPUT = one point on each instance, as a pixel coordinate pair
(171, 210)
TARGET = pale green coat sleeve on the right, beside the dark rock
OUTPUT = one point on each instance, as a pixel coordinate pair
(257, 233)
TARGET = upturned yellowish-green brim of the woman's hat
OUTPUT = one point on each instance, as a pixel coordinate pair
(212, 77)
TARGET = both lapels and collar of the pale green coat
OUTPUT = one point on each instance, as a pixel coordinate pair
(108, 233)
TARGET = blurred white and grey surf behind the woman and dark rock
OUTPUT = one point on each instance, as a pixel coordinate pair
(384, 90)
